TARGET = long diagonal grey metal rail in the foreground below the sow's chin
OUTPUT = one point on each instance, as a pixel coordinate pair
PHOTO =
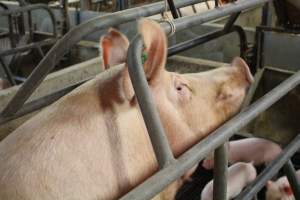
(162, 178)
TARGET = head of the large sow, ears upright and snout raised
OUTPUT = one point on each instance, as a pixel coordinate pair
(190, 105)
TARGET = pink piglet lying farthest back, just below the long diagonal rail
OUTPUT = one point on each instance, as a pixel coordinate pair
(260, 151)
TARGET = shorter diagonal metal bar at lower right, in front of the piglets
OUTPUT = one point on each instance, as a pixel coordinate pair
(271, 169)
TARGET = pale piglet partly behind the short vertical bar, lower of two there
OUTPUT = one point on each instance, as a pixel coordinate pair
(239, 175)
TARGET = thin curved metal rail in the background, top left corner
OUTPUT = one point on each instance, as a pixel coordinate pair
(28, 8)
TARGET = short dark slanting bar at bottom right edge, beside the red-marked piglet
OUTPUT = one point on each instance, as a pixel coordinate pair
(290, 172)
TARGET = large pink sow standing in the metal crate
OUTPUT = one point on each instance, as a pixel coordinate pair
(93, 143)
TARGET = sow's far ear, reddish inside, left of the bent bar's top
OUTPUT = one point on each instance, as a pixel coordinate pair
(113, 48)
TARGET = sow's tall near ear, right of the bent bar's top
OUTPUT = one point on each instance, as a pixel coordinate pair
(155, 43)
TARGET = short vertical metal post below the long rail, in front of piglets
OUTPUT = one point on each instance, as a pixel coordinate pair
(220, 173)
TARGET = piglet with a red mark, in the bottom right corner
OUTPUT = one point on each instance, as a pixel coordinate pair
(280, 189)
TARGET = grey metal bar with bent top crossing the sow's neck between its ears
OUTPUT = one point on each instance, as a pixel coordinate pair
(155, 129)
